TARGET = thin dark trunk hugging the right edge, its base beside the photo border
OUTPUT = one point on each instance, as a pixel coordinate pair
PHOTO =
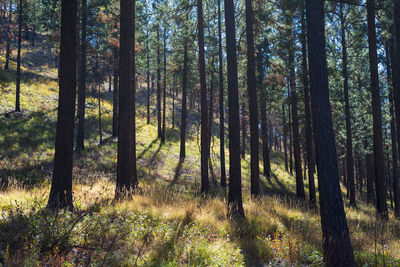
(396, 190)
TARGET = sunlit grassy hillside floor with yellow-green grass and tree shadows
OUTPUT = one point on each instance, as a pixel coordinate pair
(168, 223)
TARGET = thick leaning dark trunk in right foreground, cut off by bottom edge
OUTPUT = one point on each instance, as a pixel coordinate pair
(335, 233)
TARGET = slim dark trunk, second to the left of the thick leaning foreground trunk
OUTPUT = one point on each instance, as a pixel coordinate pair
(295, 125)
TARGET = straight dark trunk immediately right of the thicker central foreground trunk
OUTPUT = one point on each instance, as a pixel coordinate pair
(253, 109)
